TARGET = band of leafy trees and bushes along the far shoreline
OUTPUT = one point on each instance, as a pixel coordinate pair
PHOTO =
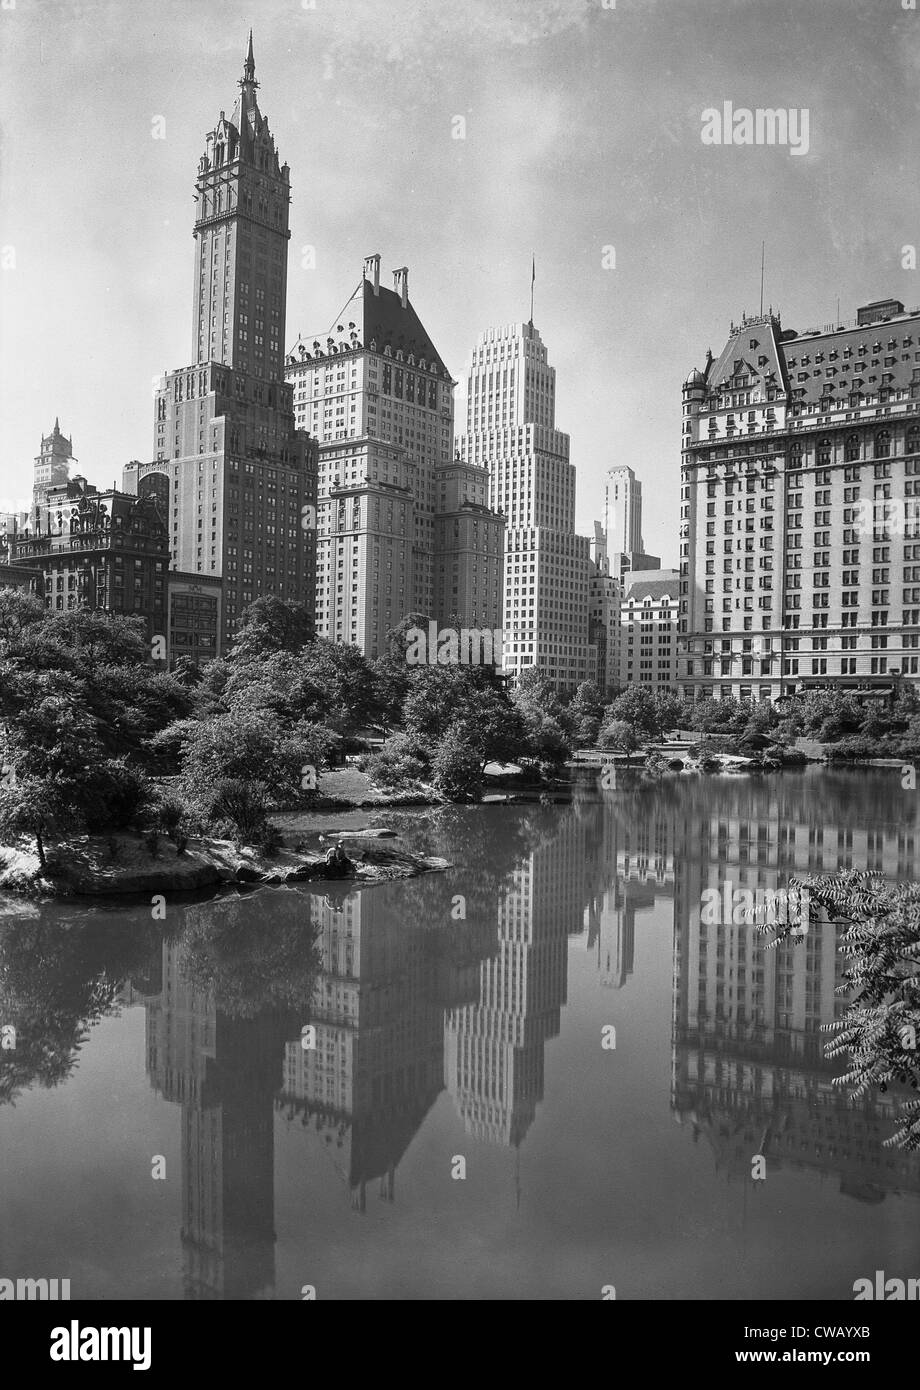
(98, 742)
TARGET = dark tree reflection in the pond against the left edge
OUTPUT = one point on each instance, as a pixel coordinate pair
(59, 976)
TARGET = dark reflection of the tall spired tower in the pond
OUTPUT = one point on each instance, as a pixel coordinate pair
(223, 1072)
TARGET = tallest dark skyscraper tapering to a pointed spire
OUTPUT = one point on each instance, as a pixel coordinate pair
(233, 475)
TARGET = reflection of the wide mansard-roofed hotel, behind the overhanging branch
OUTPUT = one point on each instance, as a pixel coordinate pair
(748, 1052)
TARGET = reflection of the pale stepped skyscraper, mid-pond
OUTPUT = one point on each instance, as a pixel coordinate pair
(494, 1047)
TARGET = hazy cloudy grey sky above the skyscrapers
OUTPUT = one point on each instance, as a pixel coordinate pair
(582, 148)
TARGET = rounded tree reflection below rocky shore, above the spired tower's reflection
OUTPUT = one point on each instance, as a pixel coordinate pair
(248, 968)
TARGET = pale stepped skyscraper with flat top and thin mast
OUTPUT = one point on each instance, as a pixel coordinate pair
(512, 432)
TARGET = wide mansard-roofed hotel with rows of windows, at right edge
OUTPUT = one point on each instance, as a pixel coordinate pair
(800, 509)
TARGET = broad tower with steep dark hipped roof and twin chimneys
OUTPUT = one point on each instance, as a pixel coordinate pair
(404, 528)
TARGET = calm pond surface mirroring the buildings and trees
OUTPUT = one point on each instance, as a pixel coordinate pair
(177, 1047)
